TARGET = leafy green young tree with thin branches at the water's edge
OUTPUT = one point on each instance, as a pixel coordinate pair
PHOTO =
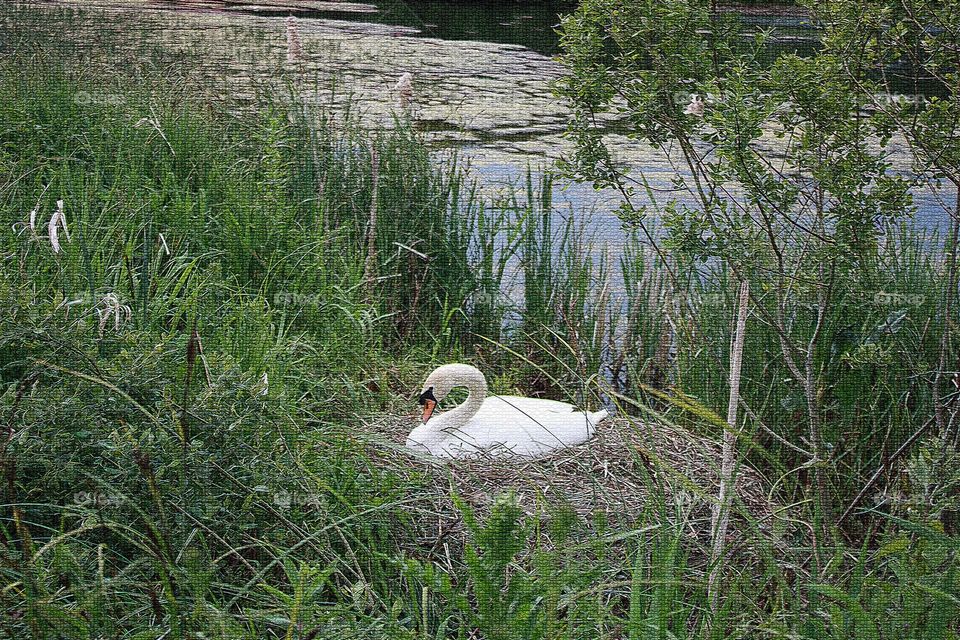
(787, 183)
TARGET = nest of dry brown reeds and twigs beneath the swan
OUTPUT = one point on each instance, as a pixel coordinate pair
(630, 475)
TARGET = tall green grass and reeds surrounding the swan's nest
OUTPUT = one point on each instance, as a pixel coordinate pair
(153, 491)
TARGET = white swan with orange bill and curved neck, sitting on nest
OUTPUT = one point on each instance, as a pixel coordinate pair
(495, 425)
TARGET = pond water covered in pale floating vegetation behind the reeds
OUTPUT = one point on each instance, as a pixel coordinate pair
(482, 72)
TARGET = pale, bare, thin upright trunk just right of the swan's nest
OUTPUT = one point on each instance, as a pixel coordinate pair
(721, 511)
